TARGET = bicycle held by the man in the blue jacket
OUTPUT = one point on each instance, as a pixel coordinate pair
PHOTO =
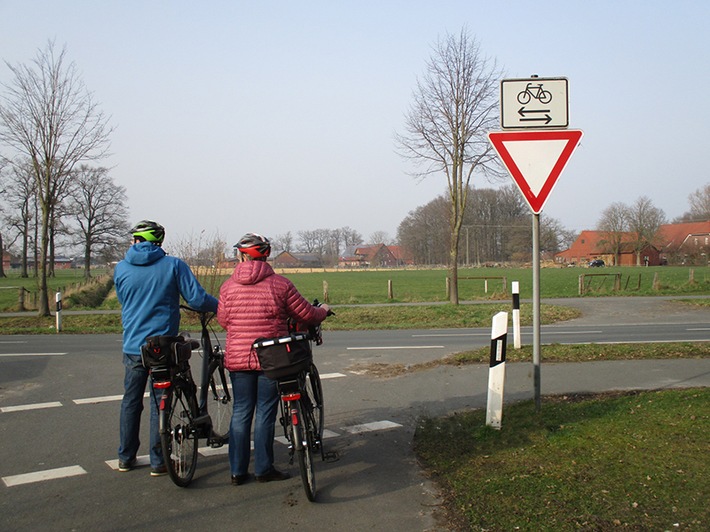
(185, 418)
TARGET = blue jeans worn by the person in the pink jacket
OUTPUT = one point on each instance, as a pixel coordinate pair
(253, 393)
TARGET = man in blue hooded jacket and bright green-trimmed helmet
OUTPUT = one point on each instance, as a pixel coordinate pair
(149, 284)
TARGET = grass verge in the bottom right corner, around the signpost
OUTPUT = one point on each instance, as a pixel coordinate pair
(635, 460)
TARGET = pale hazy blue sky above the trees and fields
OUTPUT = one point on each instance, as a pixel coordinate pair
(276, 116)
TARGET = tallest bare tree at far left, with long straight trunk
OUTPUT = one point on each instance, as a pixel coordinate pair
(48, 115)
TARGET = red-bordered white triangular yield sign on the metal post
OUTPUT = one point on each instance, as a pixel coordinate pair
(535, 159)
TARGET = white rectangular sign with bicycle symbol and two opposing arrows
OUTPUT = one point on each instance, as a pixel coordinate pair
(534, 103)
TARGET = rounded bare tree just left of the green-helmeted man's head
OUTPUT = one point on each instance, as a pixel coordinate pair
(98, 206)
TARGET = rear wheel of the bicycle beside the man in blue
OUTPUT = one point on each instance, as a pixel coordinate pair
(177, 438)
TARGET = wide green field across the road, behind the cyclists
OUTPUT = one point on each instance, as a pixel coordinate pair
(368, 287)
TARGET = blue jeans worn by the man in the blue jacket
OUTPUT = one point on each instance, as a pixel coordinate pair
(134, 384)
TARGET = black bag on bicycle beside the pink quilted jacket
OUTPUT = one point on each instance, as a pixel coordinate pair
(284, 356)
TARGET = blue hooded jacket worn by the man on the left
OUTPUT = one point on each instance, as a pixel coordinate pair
(149, 284)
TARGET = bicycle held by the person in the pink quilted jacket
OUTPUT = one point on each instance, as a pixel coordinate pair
(289, 361)
